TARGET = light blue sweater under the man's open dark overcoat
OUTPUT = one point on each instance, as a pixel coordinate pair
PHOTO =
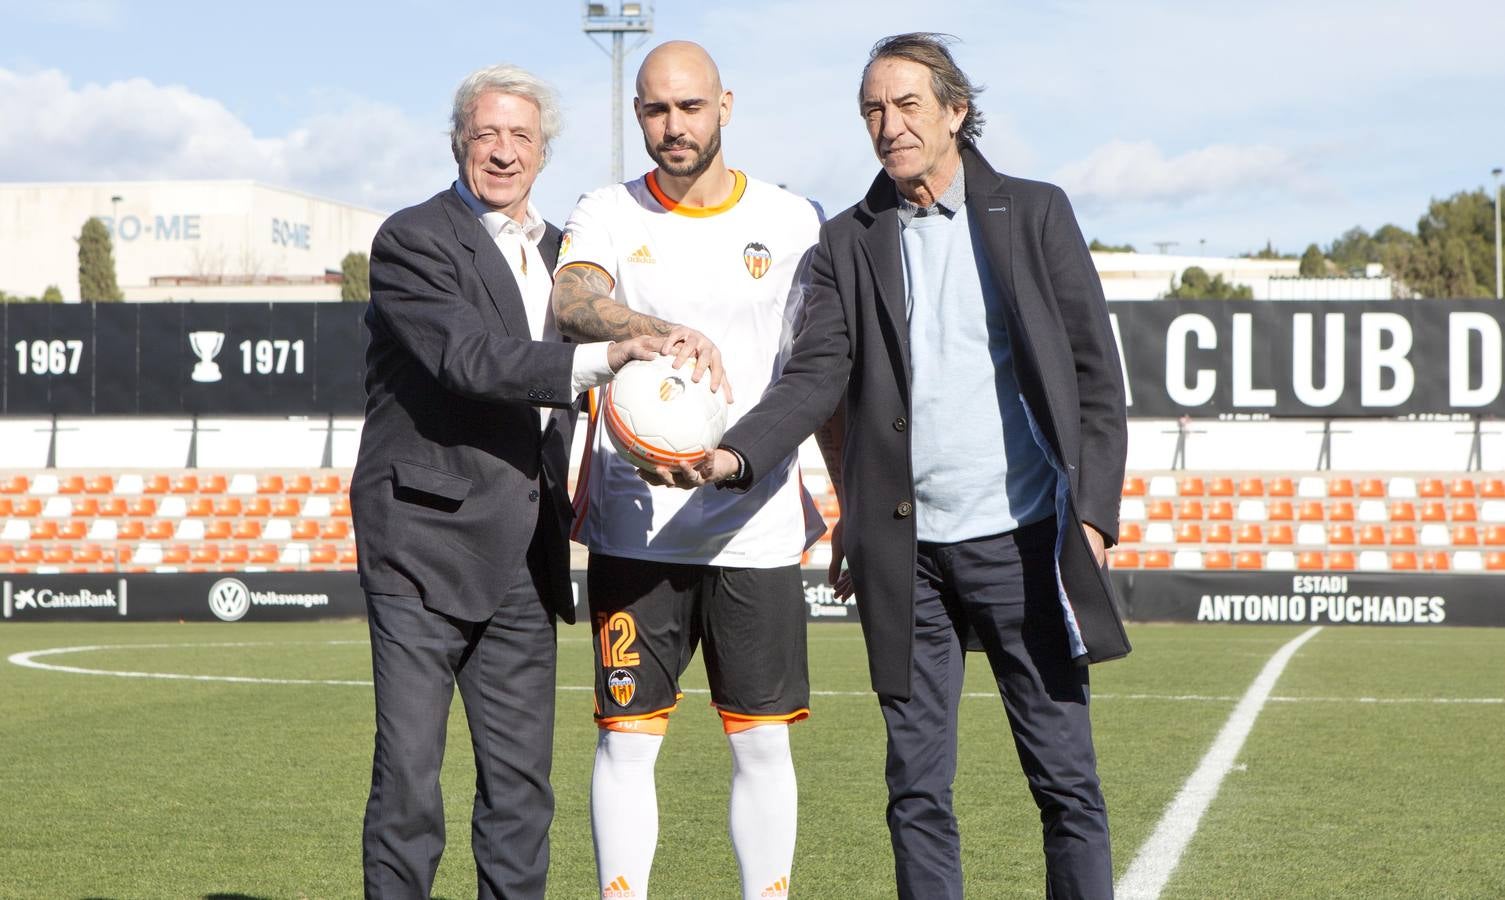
(977, 467)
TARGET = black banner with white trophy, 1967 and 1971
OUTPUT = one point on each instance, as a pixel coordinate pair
(171, 359)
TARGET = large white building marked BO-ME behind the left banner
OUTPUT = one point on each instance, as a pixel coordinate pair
(183, 240)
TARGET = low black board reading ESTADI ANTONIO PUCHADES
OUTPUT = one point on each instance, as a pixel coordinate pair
(1307, 598)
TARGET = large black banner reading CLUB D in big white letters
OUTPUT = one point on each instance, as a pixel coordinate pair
(1339, 359)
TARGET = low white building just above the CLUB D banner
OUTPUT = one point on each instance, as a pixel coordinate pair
(1151, 276)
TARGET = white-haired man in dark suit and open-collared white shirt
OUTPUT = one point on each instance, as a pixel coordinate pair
(460, 497)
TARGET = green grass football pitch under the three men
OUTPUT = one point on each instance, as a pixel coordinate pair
(1375, 771)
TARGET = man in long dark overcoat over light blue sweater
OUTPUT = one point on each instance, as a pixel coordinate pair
(956, 318)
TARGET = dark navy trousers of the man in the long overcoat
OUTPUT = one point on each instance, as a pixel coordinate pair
(1002, 594)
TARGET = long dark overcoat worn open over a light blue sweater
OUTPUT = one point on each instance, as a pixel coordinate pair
(854, 345)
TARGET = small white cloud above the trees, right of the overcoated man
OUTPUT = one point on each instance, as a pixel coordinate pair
(1137, 172)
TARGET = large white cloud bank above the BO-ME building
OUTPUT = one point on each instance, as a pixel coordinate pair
(366, 154)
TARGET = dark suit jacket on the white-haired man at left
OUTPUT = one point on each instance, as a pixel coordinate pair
(454, 469)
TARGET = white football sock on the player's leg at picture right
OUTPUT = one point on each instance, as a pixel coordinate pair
(765, 809)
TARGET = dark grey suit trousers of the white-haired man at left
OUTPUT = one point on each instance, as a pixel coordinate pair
(505, 669)
